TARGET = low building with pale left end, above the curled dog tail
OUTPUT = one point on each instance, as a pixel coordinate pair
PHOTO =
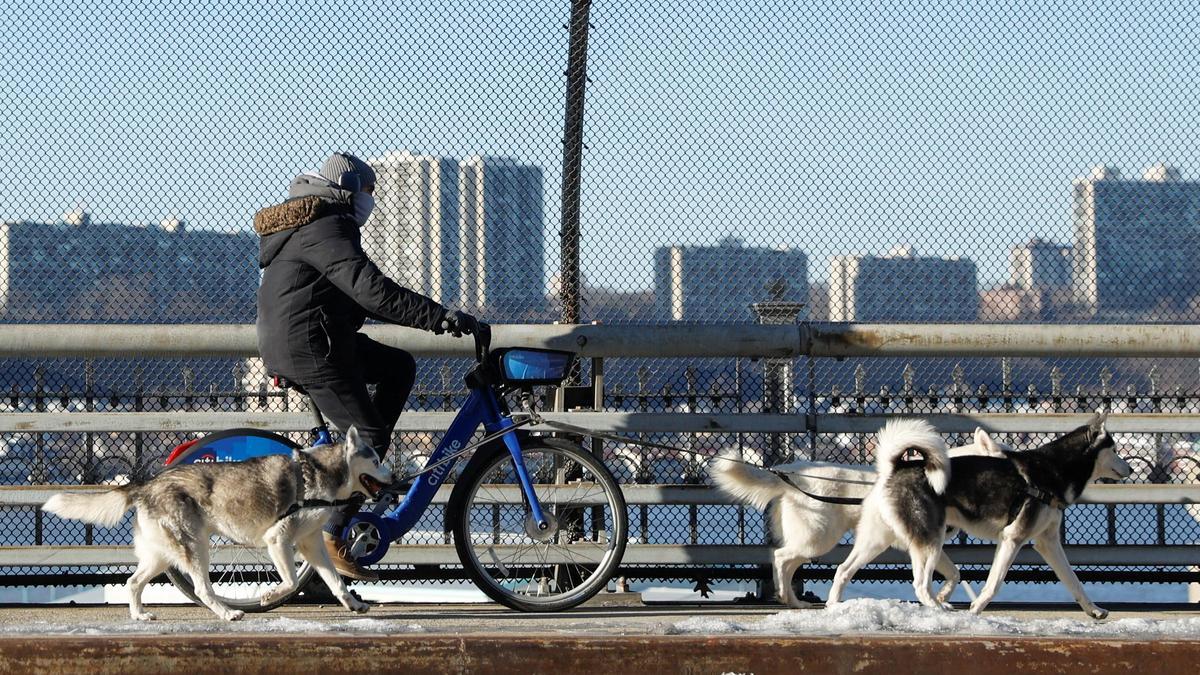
(903, 288)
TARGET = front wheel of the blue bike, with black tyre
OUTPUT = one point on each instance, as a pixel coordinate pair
(526, 568)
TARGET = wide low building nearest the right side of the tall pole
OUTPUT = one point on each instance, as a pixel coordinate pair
(718, 284)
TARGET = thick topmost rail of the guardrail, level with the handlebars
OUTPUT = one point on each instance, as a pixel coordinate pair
(667, 341)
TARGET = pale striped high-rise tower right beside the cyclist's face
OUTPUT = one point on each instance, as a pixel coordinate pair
(413, 234)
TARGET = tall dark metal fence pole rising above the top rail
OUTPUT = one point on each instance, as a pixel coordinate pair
(573, 160)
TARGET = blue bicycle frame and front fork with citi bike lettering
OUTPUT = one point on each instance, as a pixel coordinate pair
(482, 407)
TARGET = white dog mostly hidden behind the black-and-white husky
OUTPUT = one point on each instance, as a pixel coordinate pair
(803, 528)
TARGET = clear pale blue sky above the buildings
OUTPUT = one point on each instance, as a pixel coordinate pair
(829, 127)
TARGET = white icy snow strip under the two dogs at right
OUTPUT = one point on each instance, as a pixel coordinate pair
(866, 616)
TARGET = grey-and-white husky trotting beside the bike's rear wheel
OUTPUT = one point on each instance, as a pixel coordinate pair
(251, 503)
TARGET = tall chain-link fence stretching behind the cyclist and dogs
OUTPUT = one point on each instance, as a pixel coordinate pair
(623, 163)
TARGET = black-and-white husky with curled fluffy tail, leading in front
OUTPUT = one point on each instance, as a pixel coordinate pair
(1010, 500)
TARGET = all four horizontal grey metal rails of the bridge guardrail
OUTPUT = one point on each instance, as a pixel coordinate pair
(815, 341)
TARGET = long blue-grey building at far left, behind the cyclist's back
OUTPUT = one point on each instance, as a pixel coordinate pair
(80, 271)
